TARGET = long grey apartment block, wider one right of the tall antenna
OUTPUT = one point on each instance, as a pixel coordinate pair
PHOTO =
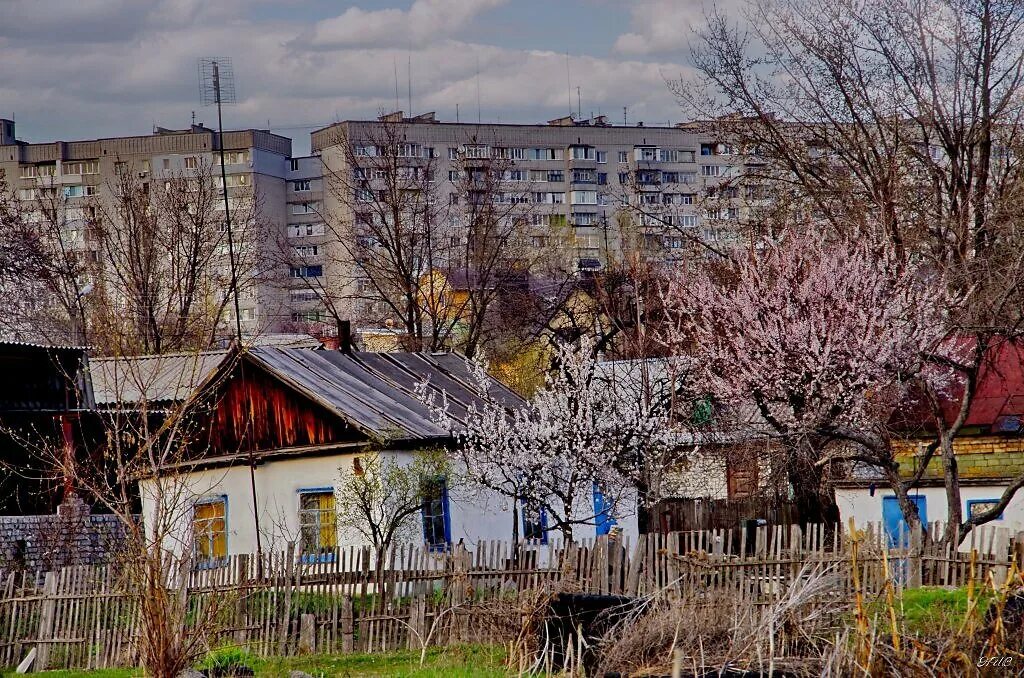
(578, 178)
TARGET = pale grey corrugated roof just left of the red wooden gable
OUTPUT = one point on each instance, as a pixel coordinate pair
(154, 379)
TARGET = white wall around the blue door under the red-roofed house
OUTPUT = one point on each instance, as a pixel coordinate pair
(864, 508)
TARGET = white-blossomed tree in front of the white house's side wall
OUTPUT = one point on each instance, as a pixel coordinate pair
(578, 432)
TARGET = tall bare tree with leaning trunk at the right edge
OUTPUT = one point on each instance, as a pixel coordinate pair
(900, 122)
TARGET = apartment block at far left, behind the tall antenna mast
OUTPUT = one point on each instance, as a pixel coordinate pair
(87, 174)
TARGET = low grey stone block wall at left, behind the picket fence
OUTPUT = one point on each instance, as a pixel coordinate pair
(73, 536)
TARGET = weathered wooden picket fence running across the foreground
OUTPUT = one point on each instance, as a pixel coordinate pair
(283, 604)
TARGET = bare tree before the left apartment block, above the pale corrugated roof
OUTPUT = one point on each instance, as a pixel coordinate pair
(167, 280)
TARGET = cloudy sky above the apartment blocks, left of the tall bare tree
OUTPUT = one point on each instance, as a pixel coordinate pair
(88, 69)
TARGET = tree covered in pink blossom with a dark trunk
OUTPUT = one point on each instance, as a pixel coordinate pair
(820, 335)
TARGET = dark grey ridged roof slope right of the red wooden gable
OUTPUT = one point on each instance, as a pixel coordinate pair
(377, 392)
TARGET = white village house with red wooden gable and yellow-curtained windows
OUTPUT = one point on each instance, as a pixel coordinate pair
(280, 429)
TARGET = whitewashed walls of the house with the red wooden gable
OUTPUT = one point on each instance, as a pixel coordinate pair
(474, 516)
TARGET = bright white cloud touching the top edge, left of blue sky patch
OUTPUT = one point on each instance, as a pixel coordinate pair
(423, 23)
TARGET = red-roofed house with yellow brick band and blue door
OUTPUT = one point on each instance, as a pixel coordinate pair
(990, 453)
